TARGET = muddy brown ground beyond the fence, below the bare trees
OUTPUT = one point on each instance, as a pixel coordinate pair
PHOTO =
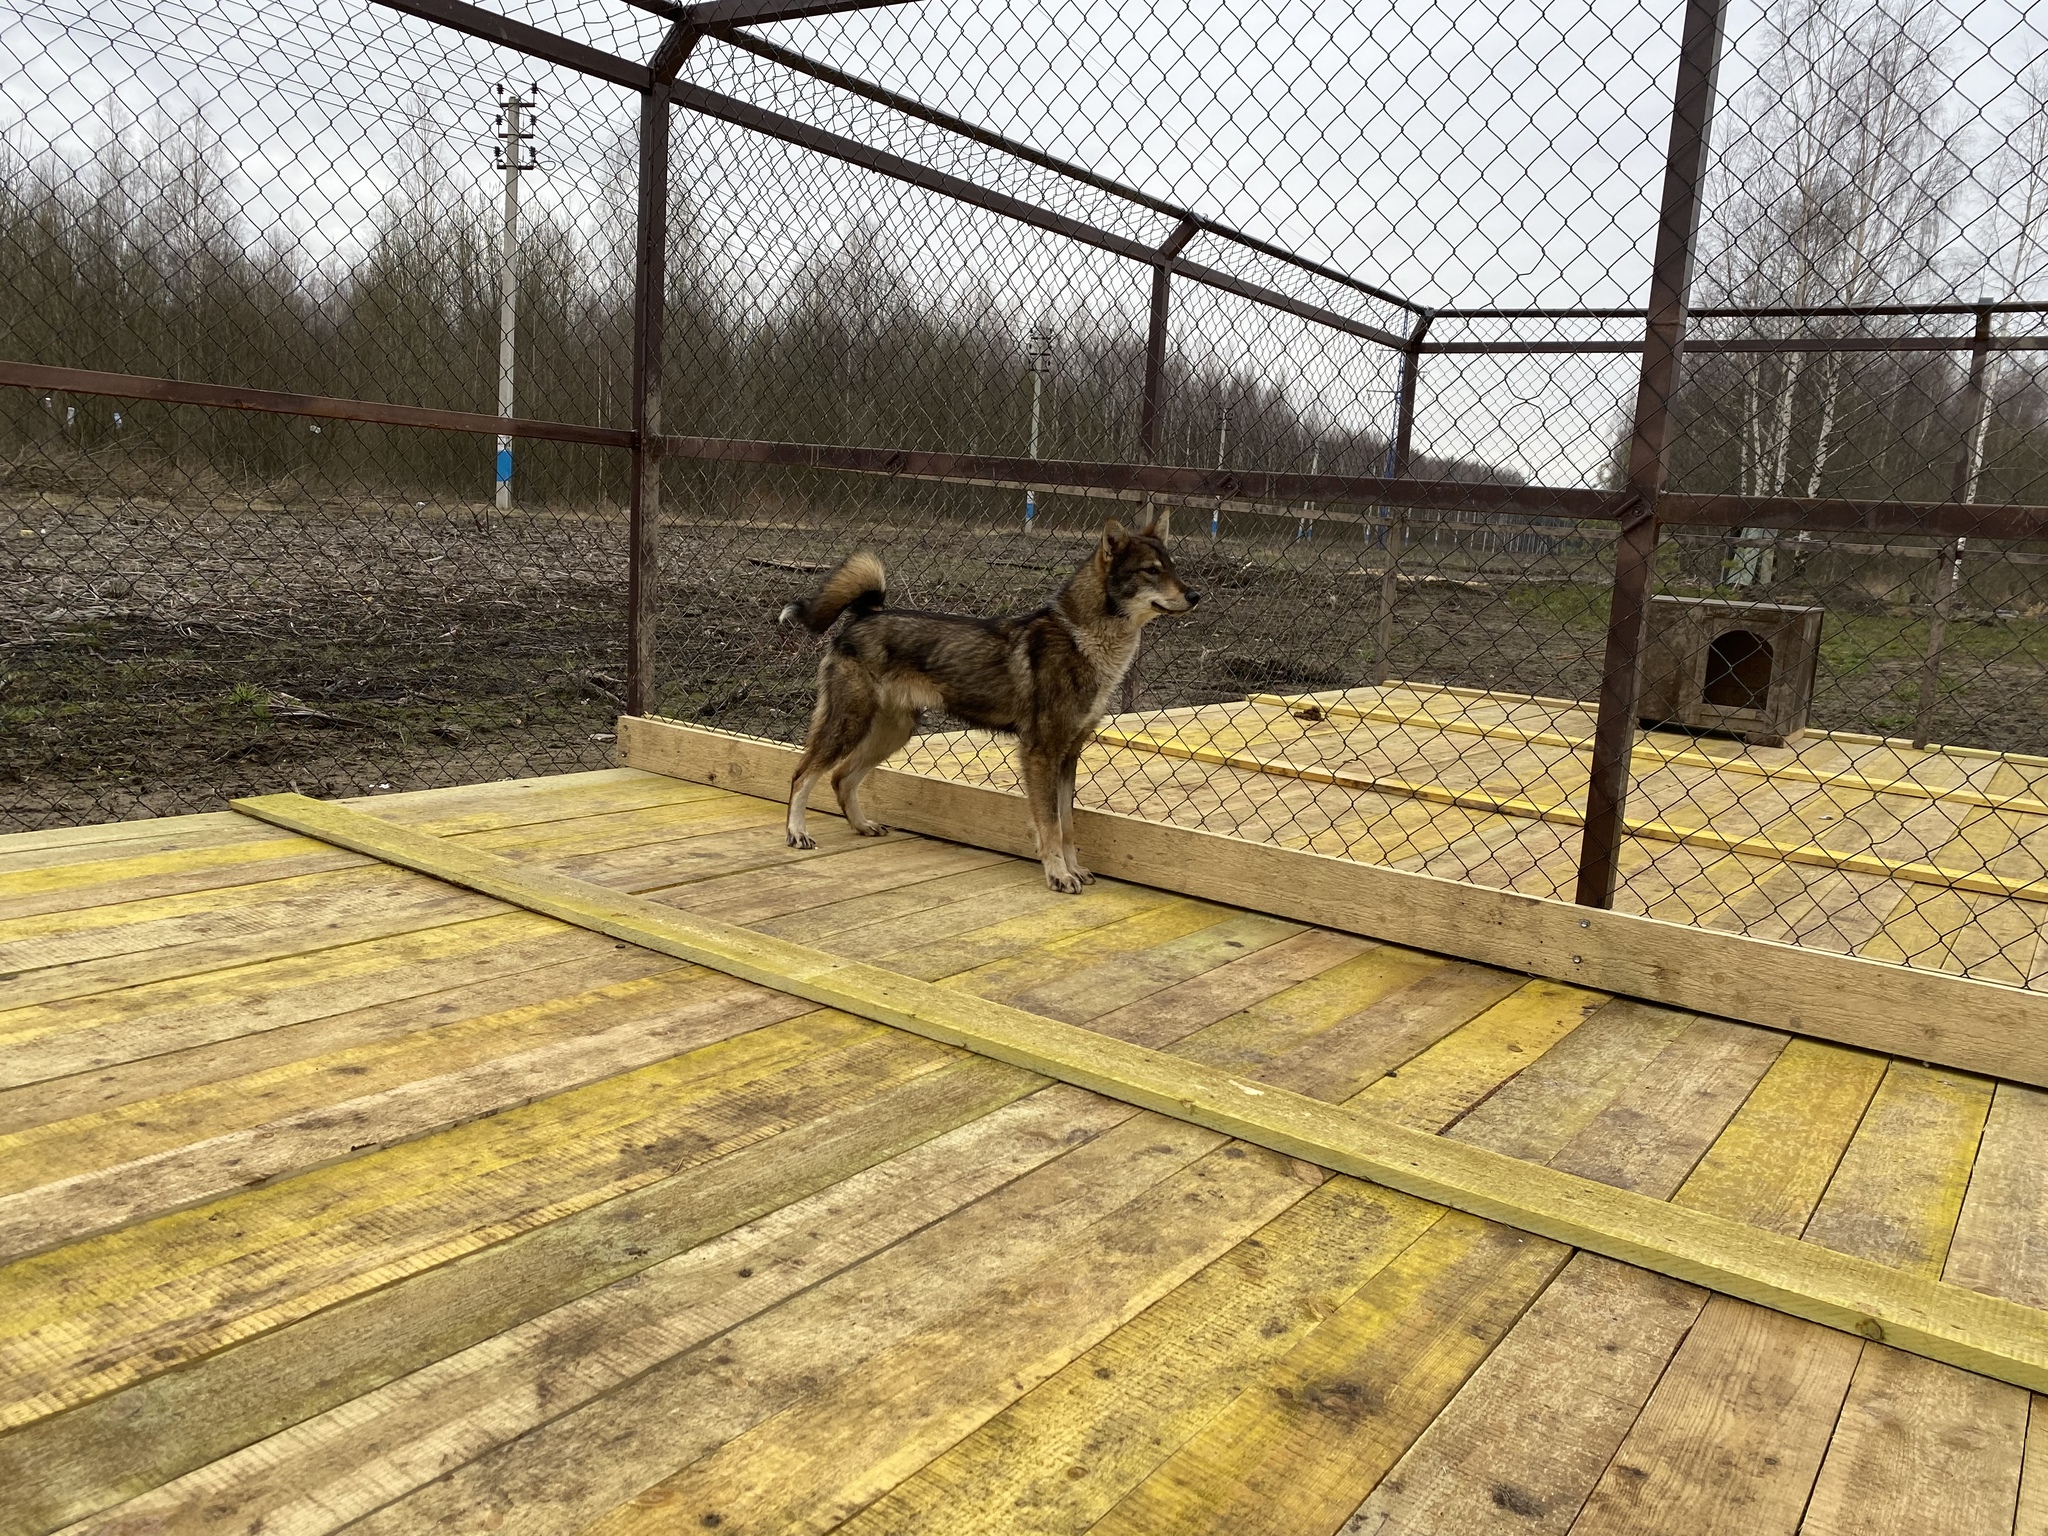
(163, 658)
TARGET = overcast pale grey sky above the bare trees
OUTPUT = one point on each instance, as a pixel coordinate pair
(1463, 155)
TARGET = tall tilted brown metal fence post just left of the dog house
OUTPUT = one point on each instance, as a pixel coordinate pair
(1635, 554)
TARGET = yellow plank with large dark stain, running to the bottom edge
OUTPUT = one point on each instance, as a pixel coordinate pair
(1310, 1439)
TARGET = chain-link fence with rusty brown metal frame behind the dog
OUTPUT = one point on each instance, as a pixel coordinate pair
(1508, 380)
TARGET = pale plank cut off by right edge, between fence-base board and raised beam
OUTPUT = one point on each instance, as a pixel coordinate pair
(2002, 1242)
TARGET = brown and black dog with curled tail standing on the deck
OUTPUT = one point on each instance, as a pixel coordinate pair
(1043, 677)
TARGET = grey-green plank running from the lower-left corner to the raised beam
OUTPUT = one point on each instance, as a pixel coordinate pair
(75, 1463)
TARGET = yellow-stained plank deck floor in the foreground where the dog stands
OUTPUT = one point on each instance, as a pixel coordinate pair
(341, 1199)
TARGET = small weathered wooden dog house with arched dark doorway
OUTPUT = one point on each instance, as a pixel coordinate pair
(1744, 669)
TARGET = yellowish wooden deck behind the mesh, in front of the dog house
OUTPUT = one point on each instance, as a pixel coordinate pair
(1863, 847)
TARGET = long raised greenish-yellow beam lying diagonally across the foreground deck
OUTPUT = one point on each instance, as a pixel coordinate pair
(1943, 1322)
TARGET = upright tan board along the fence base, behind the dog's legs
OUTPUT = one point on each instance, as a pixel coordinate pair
(1920, 1015)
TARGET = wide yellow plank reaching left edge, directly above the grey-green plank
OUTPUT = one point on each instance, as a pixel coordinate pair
(114, 1310)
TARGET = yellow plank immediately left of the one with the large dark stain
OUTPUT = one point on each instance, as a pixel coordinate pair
(1064, 1453)
